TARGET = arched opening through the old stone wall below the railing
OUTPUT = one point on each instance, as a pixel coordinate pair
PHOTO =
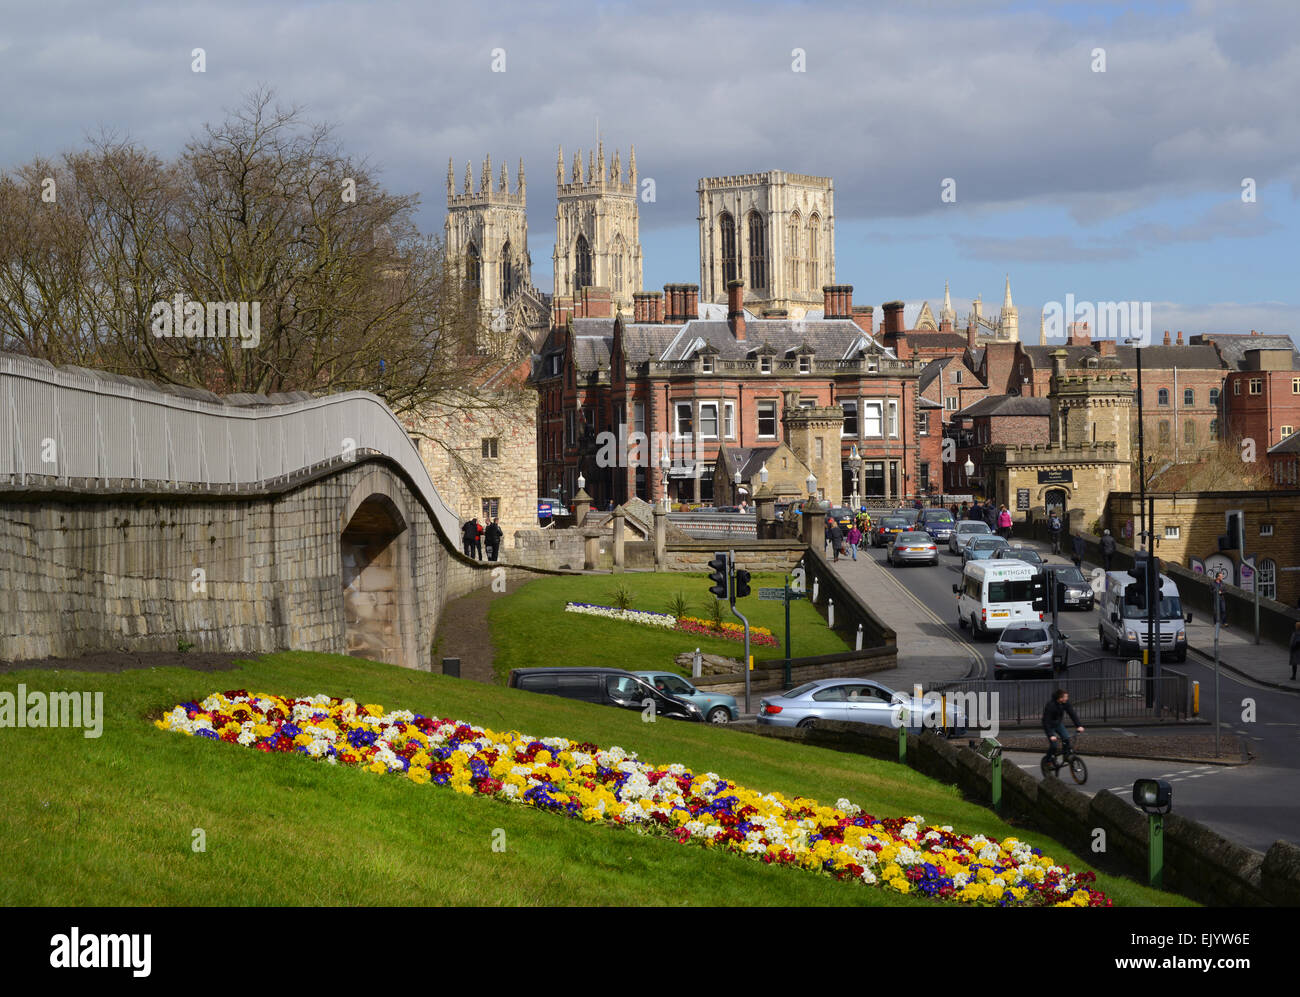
(378, 599)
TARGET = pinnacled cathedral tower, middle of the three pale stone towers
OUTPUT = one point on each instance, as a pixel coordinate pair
(597, 228)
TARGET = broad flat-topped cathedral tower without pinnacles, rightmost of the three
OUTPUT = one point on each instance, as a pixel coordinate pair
(773, 231)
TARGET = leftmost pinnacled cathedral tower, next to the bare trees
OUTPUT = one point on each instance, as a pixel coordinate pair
(487, 231)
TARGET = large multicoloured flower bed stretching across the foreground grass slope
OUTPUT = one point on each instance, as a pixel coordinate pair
(584, 782)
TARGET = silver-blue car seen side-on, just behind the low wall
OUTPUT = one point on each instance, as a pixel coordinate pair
(860, 701)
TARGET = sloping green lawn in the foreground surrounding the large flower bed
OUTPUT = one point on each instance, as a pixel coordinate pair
(111, 821)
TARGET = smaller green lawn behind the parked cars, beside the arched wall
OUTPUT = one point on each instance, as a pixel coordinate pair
(531, 628)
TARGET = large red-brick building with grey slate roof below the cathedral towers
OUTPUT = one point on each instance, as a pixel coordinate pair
(632, 404)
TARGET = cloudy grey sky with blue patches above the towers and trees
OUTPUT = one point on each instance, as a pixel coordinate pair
(1116, 185)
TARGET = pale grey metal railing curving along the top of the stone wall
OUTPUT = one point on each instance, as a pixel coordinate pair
(92, 431)
